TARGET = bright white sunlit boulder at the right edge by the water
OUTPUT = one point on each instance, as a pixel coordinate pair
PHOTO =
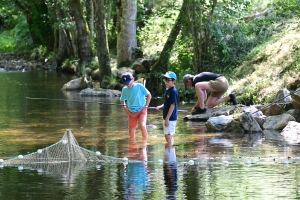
(291, 133)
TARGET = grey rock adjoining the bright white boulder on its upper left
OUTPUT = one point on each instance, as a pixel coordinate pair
(278, 122)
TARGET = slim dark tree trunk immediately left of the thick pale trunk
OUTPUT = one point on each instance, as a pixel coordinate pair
(102, 46)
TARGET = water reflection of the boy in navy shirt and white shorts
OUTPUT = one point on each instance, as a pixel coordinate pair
(170, 172)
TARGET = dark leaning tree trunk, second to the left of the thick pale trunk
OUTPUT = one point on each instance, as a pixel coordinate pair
(84, 44)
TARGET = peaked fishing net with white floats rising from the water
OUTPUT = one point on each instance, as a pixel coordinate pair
(65, 151)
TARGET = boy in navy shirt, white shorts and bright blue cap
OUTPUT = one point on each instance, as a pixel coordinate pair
(169, 106)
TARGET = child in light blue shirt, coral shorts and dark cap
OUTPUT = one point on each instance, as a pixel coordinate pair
(135, 104)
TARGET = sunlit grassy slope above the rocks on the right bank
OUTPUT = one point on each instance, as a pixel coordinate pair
(269, 67)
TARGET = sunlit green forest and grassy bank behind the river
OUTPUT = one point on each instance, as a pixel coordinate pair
(255, 43)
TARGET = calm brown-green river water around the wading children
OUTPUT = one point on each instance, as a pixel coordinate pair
(200, 165)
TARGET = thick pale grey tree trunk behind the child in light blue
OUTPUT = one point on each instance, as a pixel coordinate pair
(126, 28)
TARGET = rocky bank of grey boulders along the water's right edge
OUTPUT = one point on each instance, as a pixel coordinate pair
(277, 121)
